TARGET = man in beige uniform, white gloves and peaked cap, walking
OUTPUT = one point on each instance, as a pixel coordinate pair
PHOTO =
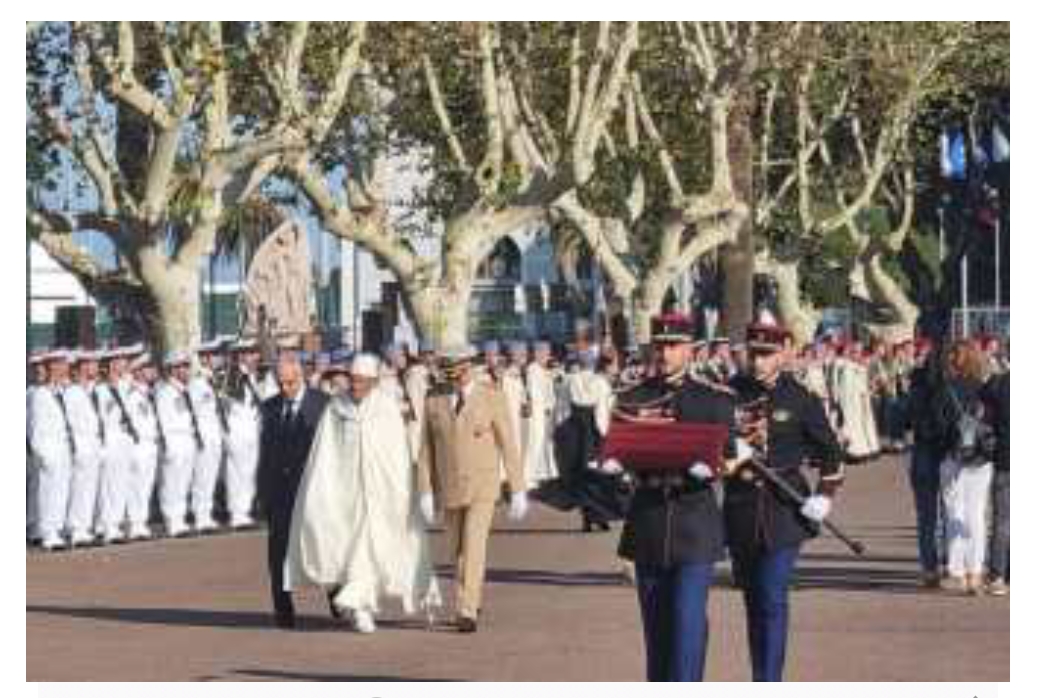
(467, 432)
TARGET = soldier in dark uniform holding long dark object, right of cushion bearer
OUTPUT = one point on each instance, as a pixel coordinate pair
(764, 530)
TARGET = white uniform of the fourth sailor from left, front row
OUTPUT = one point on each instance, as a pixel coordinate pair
(146, 459)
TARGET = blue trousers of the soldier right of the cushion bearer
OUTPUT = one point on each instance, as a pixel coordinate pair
(764, 578)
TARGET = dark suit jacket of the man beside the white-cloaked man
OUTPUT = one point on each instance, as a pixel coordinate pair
(285, 450)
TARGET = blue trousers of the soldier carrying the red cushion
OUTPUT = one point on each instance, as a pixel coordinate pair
(675, 609)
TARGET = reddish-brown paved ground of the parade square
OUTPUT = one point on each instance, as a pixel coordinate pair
(197, 610)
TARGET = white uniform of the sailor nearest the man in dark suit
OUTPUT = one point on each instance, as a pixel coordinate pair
(242, 466)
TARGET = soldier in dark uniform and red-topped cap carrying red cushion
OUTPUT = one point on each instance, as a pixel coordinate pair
(674, 532)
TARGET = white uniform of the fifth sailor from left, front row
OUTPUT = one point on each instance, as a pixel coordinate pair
(179, 457)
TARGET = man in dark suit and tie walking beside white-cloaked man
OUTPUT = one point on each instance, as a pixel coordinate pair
(289, 423)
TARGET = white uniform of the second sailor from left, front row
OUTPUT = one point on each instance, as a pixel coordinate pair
(87, 463)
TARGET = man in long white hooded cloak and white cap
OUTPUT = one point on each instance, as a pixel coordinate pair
(358, 528)
